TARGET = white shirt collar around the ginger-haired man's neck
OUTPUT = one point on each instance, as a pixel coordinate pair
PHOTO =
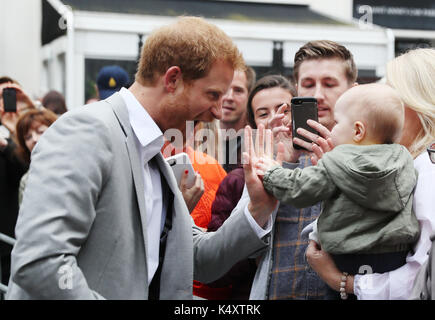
(146, 130)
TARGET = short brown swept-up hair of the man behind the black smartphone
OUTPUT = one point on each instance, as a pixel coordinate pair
(325, 49)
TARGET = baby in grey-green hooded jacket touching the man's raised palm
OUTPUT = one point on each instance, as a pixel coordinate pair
(366, 184)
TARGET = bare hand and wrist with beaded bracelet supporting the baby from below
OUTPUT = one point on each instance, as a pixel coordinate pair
(322, 263)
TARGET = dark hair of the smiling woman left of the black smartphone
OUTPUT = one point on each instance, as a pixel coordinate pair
(267, 82)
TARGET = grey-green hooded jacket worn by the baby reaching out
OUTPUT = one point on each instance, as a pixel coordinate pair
(367, 194)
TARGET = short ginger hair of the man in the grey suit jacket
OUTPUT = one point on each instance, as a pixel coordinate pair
(190, 43)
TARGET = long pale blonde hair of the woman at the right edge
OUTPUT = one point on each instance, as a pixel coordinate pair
(412, 75)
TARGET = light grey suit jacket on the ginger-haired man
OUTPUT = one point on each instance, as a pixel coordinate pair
(82, 224)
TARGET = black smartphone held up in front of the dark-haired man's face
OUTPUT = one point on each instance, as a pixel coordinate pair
(303, 108)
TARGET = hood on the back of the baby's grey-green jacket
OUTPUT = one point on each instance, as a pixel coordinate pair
(378, 177)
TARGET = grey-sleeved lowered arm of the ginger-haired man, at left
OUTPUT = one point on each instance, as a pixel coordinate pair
(70, 165)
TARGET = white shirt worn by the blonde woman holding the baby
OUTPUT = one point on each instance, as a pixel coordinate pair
(397, 284)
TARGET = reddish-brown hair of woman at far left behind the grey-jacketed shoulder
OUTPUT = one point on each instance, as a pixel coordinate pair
(25, 122)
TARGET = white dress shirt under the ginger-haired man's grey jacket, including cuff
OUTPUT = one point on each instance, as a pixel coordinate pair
(149, 141)
